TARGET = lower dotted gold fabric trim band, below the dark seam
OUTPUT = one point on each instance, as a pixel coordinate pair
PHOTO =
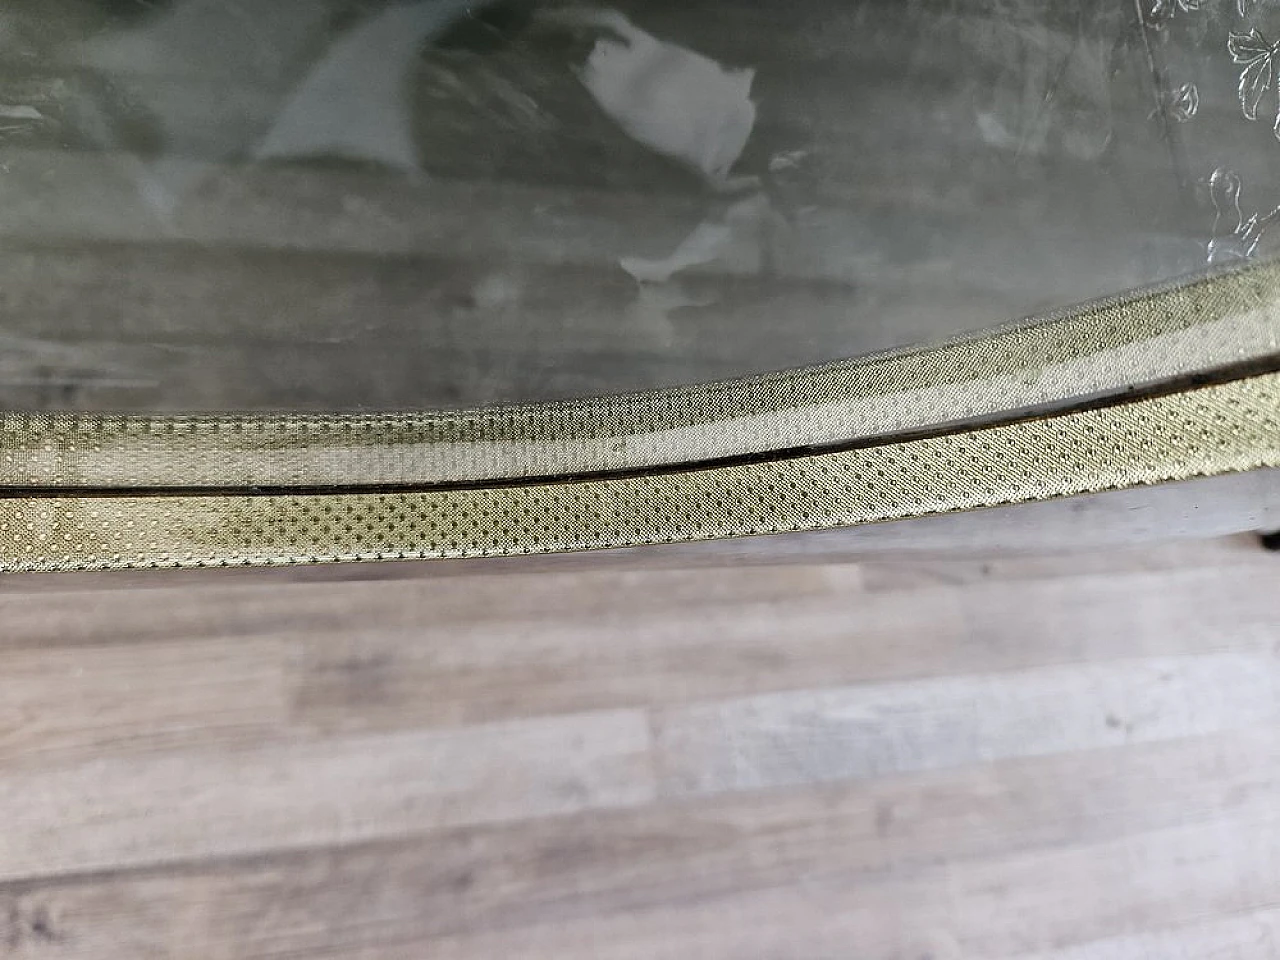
(1213, 431)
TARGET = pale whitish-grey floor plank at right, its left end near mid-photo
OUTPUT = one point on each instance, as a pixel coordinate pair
(881, 730)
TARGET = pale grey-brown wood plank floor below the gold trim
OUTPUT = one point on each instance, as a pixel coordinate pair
(1071, 758)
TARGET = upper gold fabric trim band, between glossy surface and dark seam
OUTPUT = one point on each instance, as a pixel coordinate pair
(1103, 349)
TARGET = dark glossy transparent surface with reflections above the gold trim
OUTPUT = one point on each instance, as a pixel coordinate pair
(374, 204)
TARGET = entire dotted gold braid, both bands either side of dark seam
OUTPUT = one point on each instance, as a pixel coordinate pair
(65, 510)
